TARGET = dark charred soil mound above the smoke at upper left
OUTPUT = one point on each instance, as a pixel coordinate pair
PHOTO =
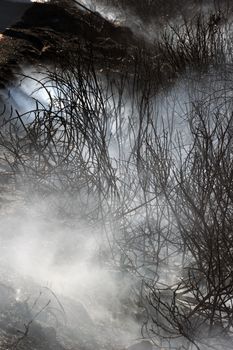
(48, 33)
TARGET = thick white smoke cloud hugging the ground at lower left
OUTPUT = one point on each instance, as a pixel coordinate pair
(45, 260)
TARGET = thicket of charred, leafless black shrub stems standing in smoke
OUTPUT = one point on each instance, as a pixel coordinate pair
(158, 183)
